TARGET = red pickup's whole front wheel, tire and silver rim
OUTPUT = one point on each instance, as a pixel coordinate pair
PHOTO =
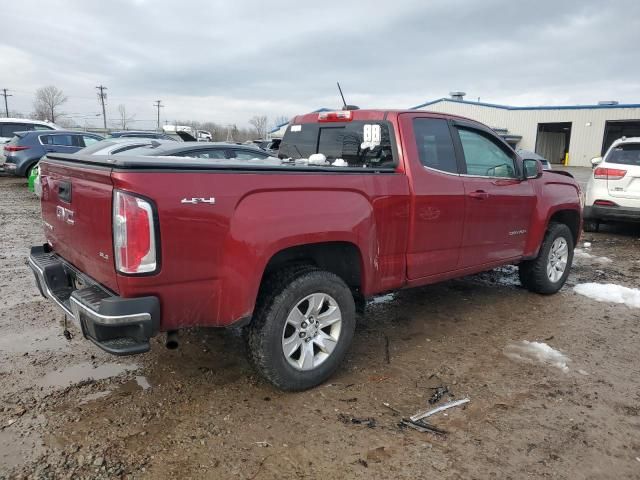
(548, 272)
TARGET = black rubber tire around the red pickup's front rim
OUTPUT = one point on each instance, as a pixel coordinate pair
(533, 273)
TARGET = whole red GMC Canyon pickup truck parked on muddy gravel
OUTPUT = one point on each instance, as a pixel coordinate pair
(359, 202)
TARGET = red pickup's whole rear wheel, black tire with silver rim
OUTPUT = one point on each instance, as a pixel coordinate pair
(302, 328)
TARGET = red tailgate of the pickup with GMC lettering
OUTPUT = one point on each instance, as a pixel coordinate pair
(77, 217)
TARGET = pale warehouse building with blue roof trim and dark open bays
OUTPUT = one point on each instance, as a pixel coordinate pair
(574, 134)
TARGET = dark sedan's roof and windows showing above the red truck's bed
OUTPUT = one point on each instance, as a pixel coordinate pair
(211, 150)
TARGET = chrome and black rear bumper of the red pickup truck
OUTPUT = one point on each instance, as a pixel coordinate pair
(121, 326)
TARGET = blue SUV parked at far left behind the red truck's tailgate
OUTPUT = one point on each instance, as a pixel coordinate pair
(25, 149)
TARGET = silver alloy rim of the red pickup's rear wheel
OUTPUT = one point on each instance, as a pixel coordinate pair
(311, 331)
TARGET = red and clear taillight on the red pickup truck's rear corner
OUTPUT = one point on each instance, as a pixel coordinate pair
(134, 239)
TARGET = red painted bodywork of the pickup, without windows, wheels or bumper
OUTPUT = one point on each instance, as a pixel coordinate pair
(411, 227)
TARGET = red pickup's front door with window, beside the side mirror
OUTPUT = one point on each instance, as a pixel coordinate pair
(498, 203)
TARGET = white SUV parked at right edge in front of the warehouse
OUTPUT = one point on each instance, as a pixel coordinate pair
(613, 191)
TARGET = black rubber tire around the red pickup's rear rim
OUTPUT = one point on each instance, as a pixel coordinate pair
(284, 291)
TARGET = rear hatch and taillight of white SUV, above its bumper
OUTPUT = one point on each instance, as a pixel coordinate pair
(626, 183)
